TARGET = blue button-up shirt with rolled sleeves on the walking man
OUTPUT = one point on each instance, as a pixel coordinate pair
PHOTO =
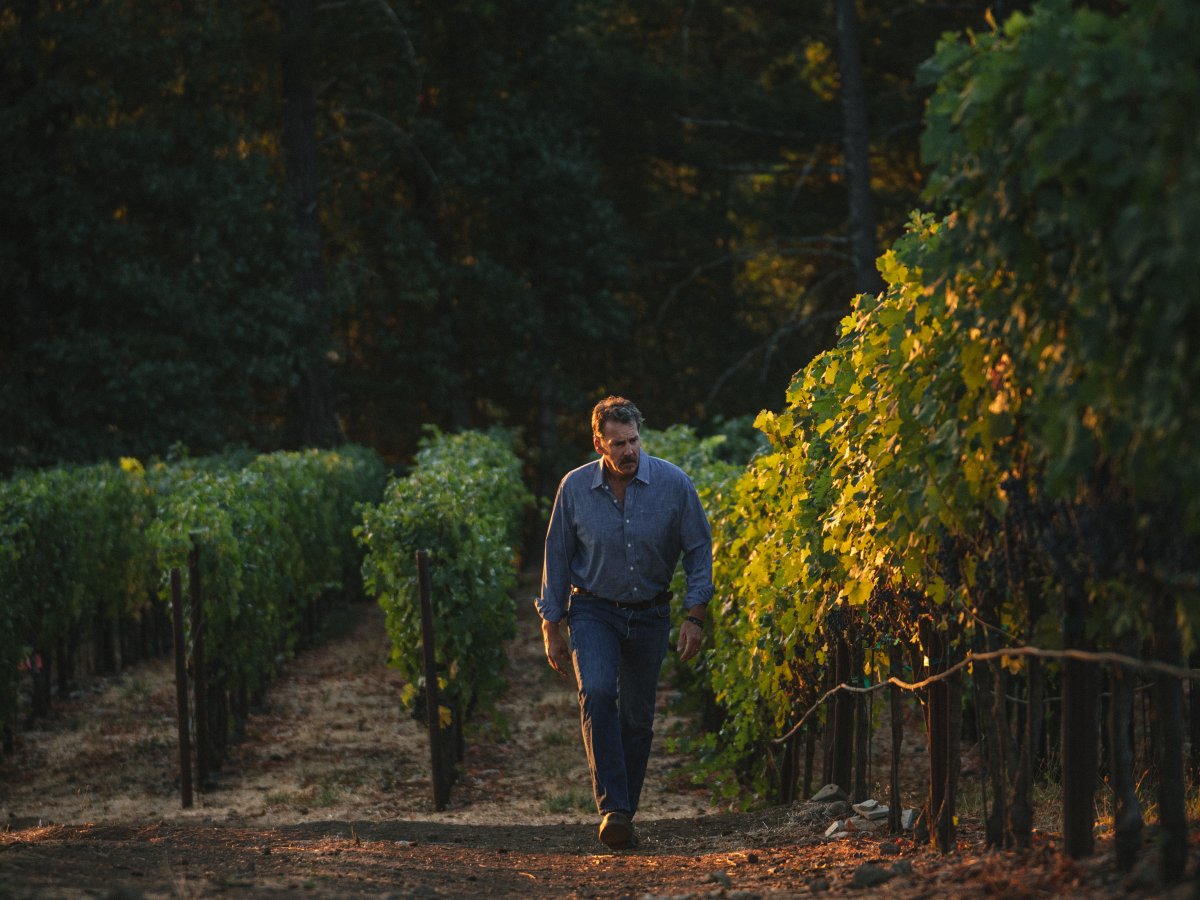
(626, 555)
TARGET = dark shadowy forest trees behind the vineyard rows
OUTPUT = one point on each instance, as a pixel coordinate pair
(231, 223)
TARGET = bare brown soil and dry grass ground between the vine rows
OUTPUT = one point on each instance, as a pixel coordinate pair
(328, 795)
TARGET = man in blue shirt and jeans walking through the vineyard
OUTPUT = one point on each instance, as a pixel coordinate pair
(619, 529)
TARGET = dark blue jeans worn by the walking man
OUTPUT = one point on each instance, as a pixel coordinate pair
(617, 655)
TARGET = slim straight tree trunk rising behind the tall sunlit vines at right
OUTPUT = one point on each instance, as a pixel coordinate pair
(857, 149)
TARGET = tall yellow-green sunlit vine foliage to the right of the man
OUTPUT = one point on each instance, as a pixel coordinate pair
(1022, 334)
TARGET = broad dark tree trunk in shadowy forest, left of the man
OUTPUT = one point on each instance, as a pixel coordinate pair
(314, 403)
